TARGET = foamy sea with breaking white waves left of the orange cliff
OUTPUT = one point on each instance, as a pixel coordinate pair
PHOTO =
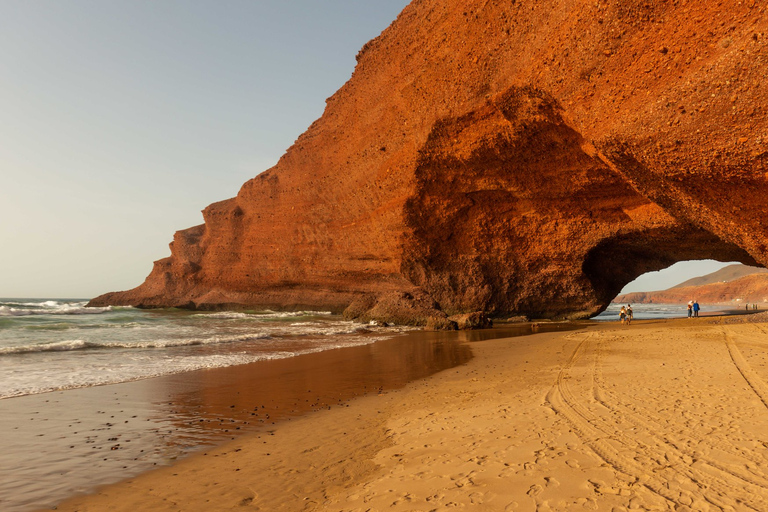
(57, 344)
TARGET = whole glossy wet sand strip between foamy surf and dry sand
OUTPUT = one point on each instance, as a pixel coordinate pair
(64, 443)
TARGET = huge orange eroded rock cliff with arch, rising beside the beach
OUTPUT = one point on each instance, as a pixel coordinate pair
(514, 157)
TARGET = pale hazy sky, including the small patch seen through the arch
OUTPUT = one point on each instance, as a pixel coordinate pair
(121, 120)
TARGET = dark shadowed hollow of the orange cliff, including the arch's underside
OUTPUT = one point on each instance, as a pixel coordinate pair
(514, 175)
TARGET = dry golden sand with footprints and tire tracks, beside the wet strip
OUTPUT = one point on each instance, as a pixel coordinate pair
(656, 416)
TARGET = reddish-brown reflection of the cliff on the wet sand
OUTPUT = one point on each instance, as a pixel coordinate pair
(220, 403)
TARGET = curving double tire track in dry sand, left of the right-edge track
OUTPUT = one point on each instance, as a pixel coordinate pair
(659, 452)
